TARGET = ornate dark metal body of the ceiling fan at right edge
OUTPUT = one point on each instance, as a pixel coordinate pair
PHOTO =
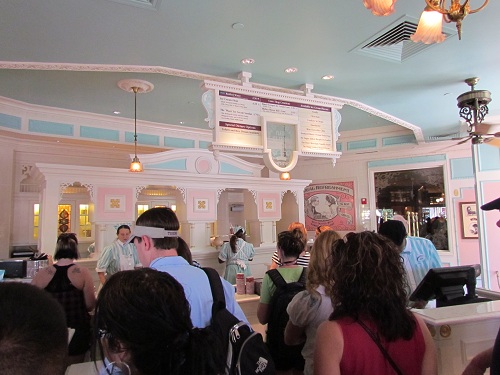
(473, 104)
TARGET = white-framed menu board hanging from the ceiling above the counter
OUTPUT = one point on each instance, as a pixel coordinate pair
(280, 126)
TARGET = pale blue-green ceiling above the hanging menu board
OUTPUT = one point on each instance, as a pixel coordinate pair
(71, 54)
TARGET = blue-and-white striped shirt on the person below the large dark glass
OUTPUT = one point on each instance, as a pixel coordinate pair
(419, 256)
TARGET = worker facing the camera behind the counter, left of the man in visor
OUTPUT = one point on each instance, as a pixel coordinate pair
(121, 255)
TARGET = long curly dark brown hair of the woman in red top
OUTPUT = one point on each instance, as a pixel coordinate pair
(367, 281)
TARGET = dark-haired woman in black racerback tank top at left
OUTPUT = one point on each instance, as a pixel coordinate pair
(73, 287)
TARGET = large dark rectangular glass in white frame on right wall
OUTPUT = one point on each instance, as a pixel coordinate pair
(419, 196)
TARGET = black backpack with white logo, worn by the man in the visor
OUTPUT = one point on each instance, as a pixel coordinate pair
(246, 351)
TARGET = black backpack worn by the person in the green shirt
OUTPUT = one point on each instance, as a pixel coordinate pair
(284, 356)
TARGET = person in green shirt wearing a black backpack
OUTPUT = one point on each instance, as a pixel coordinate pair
(274, 300)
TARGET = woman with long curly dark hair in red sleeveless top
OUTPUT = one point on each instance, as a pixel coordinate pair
(368, 293)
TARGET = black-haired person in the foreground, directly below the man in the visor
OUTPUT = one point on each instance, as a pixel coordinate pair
(143, 322)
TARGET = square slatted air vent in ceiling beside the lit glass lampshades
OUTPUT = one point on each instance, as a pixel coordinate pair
(394, 44)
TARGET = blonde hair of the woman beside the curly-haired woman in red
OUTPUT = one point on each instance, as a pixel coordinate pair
(317, 272)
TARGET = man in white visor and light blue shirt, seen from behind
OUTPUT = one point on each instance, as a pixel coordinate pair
(155, 236)
